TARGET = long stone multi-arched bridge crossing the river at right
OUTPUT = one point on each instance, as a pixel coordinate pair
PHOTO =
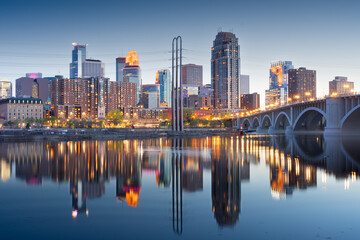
(332, 115)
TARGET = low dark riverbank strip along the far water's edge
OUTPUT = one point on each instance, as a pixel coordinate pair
(63, 134)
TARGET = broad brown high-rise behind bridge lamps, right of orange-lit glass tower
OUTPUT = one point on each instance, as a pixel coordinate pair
(302, 85)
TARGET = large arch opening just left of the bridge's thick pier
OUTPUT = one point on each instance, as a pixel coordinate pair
(311, 118)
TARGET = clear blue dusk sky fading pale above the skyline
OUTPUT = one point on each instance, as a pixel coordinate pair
(322, 35)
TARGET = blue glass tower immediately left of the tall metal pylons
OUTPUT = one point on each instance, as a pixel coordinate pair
(164, 80)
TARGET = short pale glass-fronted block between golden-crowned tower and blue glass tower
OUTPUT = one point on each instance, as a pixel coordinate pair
(150, 96)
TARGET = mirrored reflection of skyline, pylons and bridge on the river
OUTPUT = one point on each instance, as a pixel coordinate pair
(178, 164)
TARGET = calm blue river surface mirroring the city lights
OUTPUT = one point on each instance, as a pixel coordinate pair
(172, 187)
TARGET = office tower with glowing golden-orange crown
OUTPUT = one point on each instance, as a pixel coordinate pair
(132, 71)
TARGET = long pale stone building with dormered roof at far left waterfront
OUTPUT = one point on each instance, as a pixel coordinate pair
(21, 108)
